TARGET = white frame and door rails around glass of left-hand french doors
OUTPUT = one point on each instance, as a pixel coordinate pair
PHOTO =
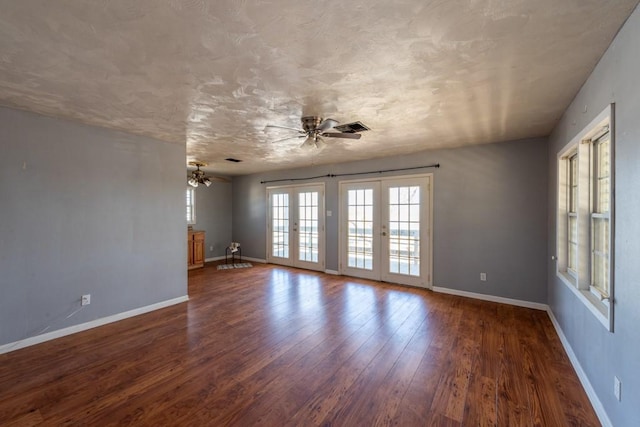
(294, 192)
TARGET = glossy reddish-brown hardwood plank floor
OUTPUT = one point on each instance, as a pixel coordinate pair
(276, 346)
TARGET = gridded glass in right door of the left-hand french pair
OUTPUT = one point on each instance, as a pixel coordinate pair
(308, 226)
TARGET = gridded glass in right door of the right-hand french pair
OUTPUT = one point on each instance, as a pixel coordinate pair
(404, 230)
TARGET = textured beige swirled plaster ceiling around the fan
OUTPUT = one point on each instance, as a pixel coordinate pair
(420, 73)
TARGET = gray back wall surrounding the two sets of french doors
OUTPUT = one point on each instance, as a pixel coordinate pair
(490, 214)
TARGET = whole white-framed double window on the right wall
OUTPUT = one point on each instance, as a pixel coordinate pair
(585, 204)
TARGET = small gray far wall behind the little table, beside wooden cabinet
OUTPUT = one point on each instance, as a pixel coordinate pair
(213, 215)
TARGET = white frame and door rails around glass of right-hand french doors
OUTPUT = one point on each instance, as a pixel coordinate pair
(426, 236)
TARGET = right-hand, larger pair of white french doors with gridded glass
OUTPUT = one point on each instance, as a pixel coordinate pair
(385, 231)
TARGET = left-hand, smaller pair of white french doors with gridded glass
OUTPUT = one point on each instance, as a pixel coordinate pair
(295, 227)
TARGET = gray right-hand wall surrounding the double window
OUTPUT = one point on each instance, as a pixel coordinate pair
(603, 354)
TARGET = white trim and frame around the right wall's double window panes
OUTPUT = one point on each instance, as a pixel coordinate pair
(580, 284)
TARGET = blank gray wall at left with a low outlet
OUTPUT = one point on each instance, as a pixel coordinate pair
(85, 210)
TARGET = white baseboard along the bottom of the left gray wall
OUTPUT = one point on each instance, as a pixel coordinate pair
(27, 342)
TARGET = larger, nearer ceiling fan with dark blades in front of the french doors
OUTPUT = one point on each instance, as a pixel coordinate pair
(314, 128)
